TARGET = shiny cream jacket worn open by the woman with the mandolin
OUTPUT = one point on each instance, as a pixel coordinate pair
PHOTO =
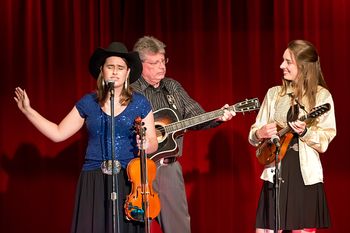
(320, 132)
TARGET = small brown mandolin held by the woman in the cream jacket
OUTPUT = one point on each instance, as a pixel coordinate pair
(266, 152)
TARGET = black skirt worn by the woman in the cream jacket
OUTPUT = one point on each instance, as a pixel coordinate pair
(300, 206)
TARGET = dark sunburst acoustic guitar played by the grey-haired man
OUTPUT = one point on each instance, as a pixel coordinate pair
(169, 127)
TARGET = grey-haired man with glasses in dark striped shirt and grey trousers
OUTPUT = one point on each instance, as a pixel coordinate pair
(170, 101)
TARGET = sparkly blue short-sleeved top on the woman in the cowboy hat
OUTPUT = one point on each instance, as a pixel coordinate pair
(98, 127)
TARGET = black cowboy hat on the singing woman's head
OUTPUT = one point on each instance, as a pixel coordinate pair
(116, 49)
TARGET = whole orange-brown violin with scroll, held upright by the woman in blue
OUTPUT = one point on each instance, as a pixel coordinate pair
(142, 204)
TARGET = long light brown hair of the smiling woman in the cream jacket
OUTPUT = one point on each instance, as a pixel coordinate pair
(309, 75)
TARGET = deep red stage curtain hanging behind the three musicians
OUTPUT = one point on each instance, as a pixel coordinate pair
(221, 51)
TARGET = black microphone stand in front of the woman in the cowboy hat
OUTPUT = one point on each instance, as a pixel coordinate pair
(114, 193)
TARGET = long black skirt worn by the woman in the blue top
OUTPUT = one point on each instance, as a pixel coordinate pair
(93, 205)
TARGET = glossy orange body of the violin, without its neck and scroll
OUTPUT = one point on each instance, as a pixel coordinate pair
(142, 201)
